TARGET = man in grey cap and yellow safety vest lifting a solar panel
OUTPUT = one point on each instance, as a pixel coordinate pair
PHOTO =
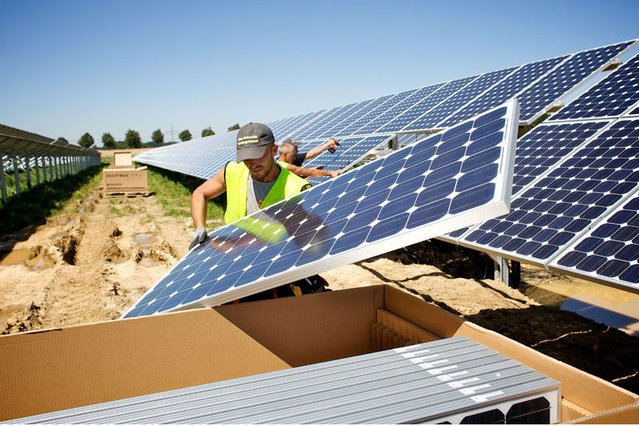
(253, 182)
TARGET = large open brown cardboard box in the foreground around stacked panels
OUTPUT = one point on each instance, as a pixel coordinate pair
(62, 368)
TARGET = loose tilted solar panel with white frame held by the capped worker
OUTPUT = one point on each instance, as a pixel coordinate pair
(444, 182)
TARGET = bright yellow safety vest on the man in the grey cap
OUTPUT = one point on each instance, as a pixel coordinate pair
(236, 177)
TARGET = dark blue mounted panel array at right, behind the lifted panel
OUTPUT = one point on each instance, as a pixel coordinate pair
(575, 180)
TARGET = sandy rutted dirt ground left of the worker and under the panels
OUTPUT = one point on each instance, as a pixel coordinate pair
(91, 266)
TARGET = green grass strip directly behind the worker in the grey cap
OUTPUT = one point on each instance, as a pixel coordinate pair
(173, 192)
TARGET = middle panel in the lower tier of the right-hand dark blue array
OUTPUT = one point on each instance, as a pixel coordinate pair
(556, 209)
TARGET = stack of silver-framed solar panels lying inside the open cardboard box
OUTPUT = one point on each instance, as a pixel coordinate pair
(451, 380)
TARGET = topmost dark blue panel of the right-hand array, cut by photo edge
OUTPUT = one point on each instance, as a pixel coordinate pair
(611, 97)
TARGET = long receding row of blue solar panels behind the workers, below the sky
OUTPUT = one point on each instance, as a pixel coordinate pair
(538, 85)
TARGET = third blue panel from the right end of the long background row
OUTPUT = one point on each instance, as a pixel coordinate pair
(429, 118)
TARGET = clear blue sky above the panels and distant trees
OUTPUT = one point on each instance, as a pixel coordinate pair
(70, 67)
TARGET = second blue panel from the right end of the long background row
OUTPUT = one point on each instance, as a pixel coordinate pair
(505, 90)
